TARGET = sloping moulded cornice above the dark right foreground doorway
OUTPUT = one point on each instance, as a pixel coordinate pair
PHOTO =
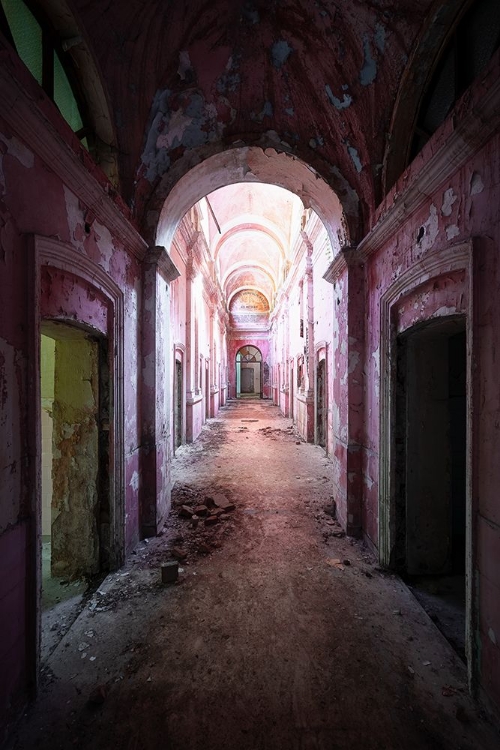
(467, 138)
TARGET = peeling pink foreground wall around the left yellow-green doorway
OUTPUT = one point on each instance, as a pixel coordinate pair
(33, 200)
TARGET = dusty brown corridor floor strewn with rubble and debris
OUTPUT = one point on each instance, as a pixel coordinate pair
(280, 633)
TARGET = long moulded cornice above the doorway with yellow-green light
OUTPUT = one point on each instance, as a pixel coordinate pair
(31, 125)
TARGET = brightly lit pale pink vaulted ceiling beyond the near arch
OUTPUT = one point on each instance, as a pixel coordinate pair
(250, 229)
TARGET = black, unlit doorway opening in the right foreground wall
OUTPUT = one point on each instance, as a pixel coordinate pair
(430, 456)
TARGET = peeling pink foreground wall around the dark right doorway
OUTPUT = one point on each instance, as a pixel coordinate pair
(465, 207)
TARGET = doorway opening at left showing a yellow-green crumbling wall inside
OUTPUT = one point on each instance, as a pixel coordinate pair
(75, 417)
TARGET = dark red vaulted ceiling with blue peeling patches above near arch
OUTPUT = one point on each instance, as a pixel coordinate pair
(317, 80)
